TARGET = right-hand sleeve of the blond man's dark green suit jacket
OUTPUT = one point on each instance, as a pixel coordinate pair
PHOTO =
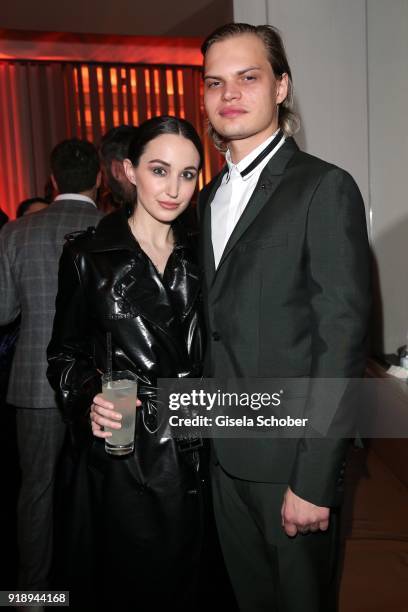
(339, 274)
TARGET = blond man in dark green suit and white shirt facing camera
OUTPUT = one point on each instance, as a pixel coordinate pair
(286, 266)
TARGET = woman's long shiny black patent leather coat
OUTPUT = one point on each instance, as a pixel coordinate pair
(143, 509)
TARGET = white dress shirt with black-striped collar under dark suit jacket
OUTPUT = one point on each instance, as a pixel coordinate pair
(233, 195)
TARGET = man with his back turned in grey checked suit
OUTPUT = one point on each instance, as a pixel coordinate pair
(30, 248)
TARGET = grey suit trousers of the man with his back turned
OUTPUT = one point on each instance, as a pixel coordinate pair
(40, 435)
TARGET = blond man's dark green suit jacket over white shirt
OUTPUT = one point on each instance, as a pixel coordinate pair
(290, 298)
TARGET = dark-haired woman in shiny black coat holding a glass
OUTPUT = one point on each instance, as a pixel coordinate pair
(133, 522)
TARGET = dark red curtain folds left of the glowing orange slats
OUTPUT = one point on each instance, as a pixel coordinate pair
(33, 119)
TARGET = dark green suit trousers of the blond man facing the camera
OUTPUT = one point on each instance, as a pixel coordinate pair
(269, 570)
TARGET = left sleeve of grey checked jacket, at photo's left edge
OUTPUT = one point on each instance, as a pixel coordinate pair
(9, 303)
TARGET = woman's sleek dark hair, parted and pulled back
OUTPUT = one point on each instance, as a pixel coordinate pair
(157, 126)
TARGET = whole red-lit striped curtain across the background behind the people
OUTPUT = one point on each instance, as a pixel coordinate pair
(43, 103)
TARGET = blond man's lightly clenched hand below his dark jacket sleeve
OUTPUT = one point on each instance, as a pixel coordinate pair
(300, 516)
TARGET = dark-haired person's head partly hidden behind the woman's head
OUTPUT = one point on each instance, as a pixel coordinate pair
(113, 150)
